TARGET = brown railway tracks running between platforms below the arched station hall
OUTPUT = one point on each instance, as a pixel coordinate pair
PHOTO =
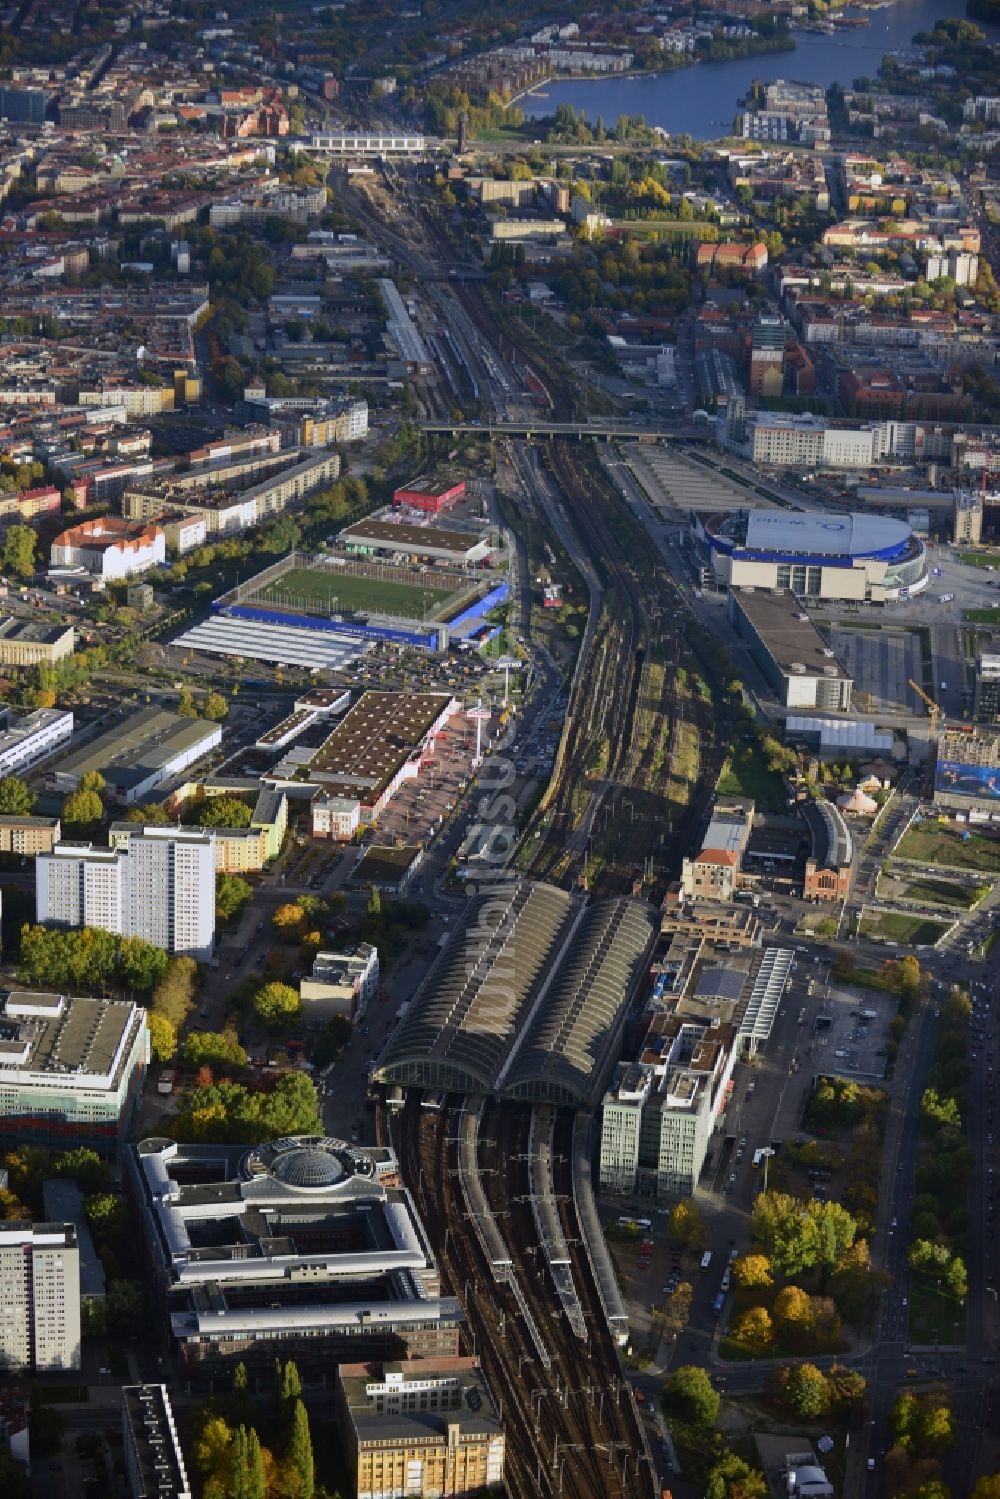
(572, 1428)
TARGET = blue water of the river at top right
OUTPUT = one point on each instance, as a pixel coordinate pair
(704, 100)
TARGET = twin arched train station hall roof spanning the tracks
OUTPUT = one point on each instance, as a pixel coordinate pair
(525, 999)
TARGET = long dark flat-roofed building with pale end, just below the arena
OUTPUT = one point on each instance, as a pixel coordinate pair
(795, 659)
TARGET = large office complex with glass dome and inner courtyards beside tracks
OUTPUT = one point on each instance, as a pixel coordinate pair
(302, 1248)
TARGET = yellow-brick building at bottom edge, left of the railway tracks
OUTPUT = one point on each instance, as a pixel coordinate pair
(424, 1428)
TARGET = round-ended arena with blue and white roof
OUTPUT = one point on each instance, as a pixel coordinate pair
(815, 554)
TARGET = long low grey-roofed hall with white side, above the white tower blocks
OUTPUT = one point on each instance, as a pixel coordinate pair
(137, 755)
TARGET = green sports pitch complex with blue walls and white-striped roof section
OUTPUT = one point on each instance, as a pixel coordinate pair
(320, 611)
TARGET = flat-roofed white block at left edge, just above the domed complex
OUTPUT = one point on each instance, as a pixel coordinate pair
(71, 1070)
